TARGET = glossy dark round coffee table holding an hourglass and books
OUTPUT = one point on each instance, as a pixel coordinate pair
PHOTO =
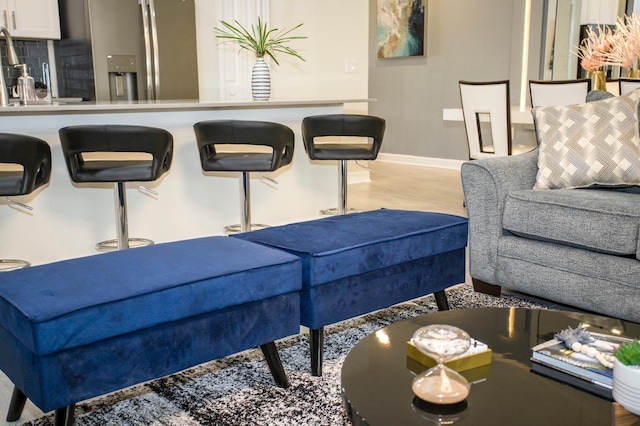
(377, 374)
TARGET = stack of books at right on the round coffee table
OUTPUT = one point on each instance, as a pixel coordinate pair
(553, 359)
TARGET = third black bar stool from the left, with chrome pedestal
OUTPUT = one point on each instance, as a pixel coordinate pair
(215, 140)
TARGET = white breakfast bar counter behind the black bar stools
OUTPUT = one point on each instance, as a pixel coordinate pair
(69, 219)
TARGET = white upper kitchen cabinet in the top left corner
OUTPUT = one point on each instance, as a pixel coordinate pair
(39, 19)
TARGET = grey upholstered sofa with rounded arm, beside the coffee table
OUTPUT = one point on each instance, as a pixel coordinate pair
(577, 247)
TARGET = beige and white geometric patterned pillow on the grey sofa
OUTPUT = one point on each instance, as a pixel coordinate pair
(589, 144)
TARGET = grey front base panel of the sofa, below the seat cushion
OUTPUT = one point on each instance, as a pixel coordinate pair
(608, 285)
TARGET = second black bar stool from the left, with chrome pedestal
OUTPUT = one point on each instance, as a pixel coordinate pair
(78, 144)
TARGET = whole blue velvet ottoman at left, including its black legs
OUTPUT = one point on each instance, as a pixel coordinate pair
(80, 328)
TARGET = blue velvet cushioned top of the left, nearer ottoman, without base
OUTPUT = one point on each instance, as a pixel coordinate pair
(96, 297)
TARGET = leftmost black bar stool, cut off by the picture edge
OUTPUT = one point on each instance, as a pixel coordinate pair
(34, 157)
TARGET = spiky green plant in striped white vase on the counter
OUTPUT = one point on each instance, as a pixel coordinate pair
(261, 40)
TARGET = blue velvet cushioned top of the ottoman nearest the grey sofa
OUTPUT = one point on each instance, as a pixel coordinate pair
(337, 247)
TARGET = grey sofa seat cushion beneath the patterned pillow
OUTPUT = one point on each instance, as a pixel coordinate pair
(604, 220)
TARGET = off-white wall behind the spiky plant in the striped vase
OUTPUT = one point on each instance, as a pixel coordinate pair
(337, 32)
